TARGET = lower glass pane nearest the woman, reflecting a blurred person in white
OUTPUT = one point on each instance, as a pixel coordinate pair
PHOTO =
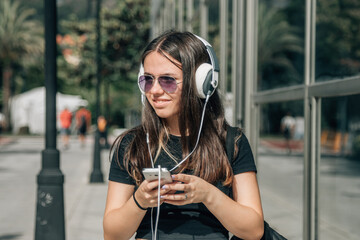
(281, 166)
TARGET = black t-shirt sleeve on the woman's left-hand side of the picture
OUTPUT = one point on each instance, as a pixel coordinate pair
(117, 171)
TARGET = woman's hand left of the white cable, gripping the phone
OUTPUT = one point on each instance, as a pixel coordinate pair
(147, 193)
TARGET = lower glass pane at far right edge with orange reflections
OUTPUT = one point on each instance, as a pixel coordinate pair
(339, 180)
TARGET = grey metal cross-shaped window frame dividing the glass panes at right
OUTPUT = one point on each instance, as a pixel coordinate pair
(311, 93)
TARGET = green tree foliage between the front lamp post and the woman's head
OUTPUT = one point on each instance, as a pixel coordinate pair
(124, 34)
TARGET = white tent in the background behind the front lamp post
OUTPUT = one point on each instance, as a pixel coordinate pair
(28, 109)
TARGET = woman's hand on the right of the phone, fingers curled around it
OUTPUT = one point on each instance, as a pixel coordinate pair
(193, 190)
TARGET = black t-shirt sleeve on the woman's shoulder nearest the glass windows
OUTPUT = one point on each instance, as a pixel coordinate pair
(244, 161)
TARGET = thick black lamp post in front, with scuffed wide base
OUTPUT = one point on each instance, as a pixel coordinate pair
(50, 221)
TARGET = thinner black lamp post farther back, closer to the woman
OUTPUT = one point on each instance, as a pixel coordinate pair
(96, 174)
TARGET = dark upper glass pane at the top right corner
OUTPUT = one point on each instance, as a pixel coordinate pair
(337, 39)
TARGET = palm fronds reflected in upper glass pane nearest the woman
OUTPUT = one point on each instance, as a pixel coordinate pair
(278, 41)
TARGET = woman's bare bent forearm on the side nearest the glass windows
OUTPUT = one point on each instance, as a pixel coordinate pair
(240, 220)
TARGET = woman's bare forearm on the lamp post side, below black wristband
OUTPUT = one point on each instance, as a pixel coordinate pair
(122, 223)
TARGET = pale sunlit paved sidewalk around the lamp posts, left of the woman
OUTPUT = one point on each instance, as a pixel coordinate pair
(20, 162)
